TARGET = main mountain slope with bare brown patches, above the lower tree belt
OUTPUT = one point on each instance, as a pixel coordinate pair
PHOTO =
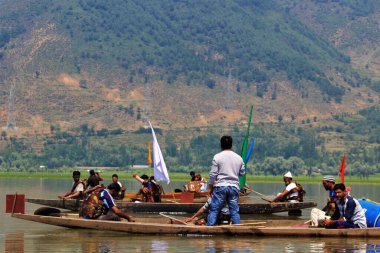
(113, 64)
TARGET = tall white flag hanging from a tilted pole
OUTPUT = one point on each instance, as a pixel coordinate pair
(160, 171)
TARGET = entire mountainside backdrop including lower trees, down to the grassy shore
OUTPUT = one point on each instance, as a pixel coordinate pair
(87, 74)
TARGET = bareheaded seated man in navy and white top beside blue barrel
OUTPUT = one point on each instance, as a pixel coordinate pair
(349, 212)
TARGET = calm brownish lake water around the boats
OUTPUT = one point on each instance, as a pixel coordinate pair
(24, 236)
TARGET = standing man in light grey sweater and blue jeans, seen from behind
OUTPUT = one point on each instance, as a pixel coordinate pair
(226, 168)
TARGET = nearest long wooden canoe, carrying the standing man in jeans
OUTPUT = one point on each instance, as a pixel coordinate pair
(250, 229)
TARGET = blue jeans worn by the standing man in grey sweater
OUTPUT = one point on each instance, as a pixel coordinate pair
(219, 196)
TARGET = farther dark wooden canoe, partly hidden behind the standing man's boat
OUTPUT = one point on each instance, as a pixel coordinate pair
(245, 208)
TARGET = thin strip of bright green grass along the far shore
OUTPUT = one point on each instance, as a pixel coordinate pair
(176, 176)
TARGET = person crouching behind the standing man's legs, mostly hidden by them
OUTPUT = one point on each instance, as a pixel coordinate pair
(223, 217)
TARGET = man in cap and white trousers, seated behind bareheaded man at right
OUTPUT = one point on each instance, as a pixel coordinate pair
(318, 215)
